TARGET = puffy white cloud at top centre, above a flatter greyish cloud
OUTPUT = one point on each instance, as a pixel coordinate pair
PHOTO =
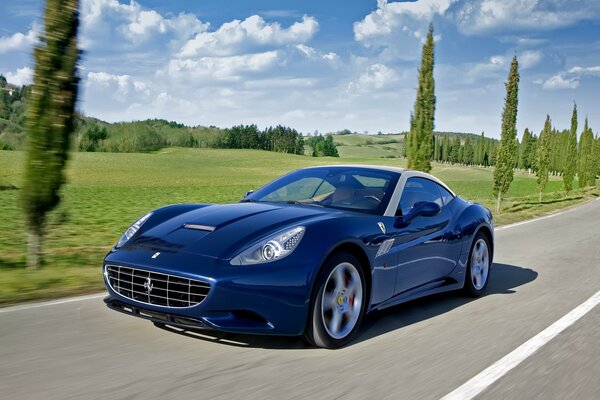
(234, 36)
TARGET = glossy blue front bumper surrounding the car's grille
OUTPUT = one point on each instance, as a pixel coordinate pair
(262, 299)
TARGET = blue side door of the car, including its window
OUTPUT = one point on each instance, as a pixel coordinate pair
(423, 252)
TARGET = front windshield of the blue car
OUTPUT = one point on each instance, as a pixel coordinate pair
(356, 189)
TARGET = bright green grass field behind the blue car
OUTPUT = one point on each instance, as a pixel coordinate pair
(108, 191)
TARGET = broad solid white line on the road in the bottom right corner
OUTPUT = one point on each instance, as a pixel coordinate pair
(487, 377)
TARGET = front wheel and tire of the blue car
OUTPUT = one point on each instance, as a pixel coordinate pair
(338, 302)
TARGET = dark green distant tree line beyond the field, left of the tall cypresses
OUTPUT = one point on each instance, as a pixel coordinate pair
(92, 135)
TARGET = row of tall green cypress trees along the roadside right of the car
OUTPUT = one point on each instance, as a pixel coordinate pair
(553, 152)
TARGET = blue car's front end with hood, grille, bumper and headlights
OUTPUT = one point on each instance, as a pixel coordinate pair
(204, 276)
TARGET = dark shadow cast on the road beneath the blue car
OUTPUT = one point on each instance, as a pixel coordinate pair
(505, 278)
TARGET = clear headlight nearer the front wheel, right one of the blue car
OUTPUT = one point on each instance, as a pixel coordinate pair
(273, 248)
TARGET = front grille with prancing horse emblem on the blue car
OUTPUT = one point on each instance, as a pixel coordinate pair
(156, 288)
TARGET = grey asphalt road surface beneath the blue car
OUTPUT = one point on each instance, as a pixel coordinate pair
(421, 350)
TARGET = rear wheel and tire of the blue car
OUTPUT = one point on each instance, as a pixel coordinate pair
(479, 266)
